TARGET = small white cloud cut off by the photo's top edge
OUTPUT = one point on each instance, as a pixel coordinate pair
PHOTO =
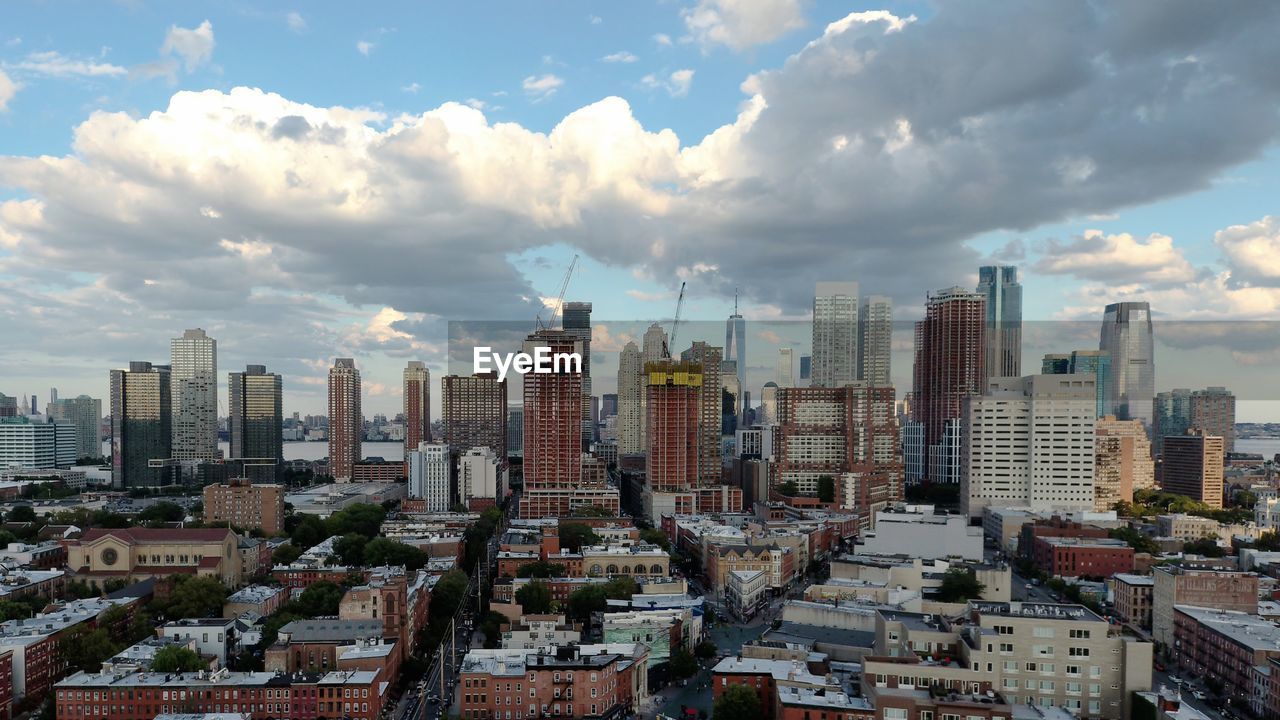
(743, 24)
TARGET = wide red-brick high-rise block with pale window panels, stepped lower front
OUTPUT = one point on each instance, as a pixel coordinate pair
(848, 434)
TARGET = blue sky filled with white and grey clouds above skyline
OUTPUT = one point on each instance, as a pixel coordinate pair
(319, 180)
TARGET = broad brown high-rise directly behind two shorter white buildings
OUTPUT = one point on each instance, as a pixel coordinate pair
(476, 413)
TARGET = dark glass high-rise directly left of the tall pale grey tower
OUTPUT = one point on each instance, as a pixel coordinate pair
(141, 426)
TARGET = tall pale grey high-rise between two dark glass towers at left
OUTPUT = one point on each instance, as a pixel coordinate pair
(194, 380)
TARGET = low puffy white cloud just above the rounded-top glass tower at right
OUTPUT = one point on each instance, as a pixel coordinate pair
(1122, 258)
